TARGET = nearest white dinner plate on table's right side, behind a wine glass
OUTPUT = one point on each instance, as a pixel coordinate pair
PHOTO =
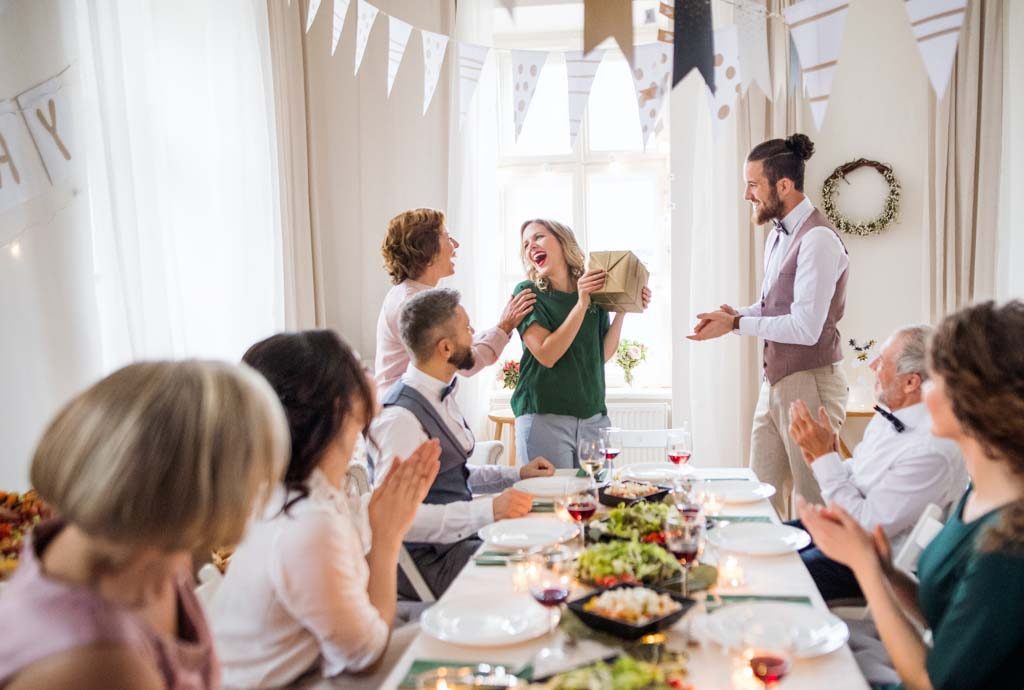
(815, 632)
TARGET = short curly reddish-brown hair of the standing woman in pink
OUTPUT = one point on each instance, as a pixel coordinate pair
(413, 240)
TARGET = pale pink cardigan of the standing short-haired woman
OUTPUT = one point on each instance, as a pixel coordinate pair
(393, 360)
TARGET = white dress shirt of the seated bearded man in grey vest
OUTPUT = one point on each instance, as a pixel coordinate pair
(398, 434)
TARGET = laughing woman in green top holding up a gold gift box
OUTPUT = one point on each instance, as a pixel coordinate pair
(561, 395)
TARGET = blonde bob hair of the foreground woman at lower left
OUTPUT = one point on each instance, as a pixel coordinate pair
(169, 455)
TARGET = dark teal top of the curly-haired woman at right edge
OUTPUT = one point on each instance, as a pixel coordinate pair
(974, 603)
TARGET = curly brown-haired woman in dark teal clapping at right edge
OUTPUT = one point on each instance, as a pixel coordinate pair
(971, 593)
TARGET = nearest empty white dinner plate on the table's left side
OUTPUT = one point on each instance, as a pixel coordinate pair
(485, 621)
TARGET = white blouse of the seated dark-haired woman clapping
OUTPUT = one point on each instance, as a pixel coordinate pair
(296, 593)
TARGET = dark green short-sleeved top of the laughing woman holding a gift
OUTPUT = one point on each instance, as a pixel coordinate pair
(575, 386)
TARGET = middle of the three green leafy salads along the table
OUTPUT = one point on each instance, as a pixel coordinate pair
(615, 563)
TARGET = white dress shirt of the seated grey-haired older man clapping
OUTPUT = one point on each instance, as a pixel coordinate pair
(894, 476)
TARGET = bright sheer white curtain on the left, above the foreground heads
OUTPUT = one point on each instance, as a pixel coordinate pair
(183, 179)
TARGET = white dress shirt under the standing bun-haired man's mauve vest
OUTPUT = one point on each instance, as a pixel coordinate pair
(820, 267)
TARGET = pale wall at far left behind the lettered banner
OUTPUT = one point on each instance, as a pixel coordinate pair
(50, 348)
